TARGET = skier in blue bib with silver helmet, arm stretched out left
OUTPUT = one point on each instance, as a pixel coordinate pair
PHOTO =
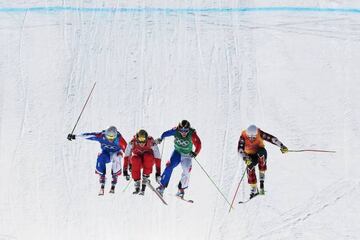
(112, 146)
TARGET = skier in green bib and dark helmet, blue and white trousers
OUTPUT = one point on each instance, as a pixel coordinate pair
(185, 138)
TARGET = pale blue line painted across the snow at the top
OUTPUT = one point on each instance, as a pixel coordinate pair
(182, 10)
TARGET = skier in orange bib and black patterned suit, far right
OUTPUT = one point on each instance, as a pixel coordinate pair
(252, 149)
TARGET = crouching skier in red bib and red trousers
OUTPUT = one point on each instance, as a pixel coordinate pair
(142, 152)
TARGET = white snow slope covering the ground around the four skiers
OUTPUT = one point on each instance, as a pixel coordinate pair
(294, 73)
